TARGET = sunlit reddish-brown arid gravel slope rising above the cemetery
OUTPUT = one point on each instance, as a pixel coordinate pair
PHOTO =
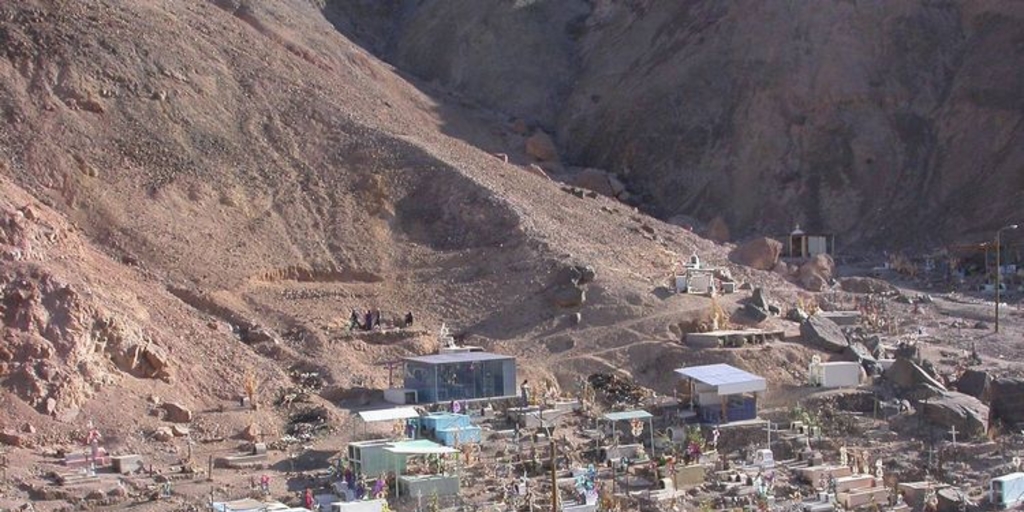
(248, 177)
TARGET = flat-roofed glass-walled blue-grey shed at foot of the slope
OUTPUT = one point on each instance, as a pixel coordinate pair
(461, 376)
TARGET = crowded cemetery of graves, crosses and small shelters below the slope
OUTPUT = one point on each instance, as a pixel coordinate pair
(465, 433)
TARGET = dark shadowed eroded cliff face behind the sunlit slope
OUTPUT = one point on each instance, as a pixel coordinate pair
(870, 119)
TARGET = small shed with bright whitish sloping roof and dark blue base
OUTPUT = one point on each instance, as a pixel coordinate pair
(722, 394)
